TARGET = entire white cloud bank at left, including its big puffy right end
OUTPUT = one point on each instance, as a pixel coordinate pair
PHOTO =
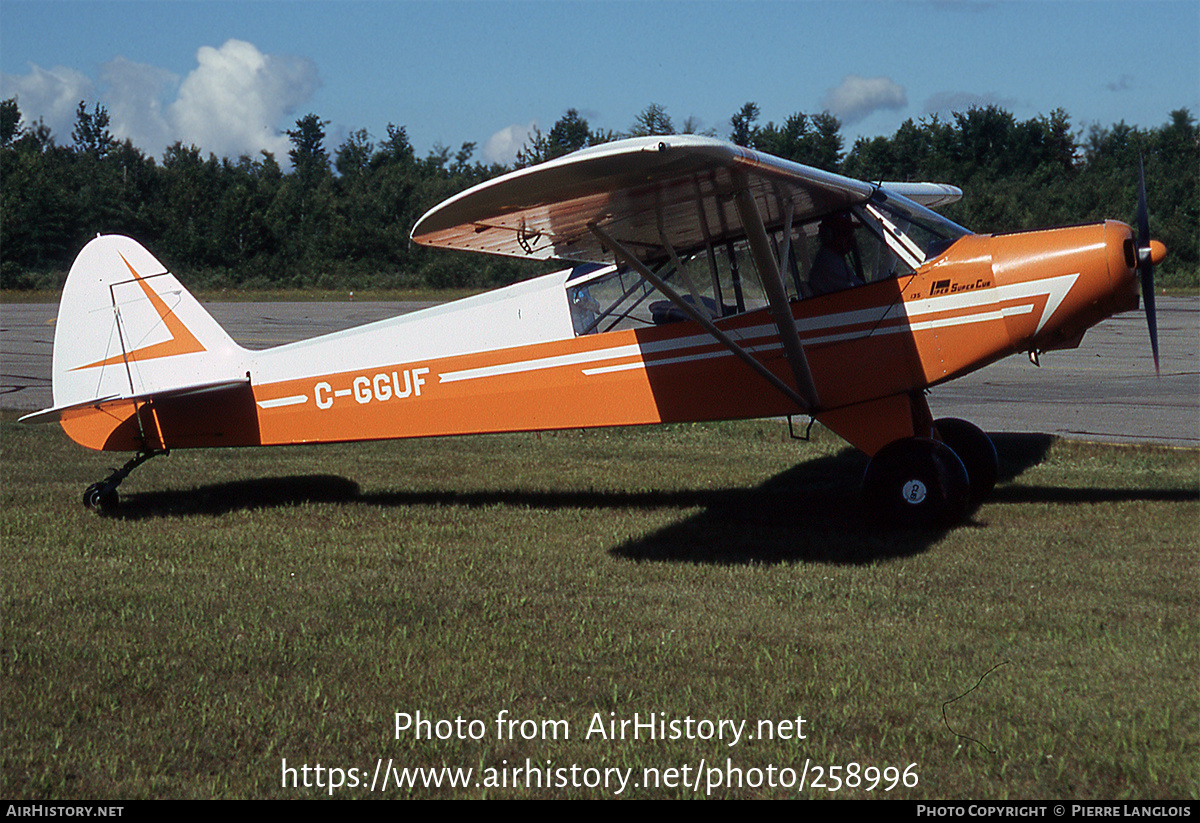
(237, 101)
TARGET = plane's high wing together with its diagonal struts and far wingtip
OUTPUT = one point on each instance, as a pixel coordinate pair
(650, 200)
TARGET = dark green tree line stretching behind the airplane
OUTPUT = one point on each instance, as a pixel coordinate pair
(341, 219)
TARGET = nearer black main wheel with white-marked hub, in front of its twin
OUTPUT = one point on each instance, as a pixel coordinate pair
(917, 483)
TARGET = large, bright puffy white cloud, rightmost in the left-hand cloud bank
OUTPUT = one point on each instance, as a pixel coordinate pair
(235, 101)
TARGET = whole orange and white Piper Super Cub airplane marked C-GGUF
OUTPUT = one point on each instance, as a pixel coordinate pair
(704, 281)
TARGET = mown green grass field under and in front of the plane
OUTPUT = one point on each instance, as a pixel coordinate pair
(248, 609)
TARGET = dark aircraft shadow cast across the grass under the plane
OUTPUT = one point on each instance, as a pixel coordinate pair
(809, 513)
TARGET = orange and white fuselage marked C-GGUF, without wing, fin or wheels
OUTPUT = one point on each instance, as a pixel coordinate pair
(514, 361)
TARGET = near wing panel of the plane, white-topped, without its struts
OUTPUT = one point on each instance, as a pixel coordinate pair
(641, 191)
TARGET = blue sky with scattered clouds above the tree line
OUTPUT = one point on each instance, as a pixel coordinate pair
(233, 76)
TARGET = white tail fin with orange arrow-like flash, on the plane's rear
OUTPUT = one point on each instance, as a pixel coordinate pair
(128, 328)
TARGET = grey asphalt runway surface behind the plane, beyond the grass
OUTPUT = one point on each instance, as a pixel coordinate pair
(1106, 391)
